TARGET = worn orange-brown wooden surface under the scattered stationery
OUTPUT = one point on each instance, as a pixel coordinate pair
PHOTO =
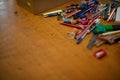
(36, 48)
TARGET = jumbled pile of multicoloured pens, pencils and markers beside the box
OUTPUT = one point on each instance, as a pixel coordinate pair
(85, 18)
